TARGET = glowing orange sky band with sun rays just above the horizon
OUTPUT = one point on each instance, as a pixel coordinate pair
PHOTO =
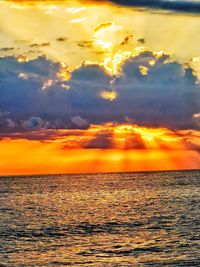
(129, 148)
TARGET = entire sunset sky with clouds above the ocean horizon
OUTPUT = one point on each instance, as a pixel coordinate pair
(99, 86)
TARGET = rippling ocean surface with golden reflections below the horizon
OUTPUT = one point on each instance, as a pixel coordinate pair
(122, 219)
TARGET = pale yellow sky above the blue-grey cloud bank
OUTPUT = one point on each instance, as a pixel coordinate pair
(96, 39)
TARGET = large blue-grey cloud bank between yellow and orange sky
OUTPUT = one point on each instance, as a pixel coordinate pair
(168, 96)
